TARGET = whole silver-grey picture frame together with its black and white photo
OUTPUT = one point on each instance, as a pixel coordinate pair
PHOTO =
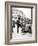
(21, 26)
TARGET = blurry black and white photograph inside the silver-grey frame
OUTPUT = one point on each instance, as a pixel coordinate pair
(21, 24)
